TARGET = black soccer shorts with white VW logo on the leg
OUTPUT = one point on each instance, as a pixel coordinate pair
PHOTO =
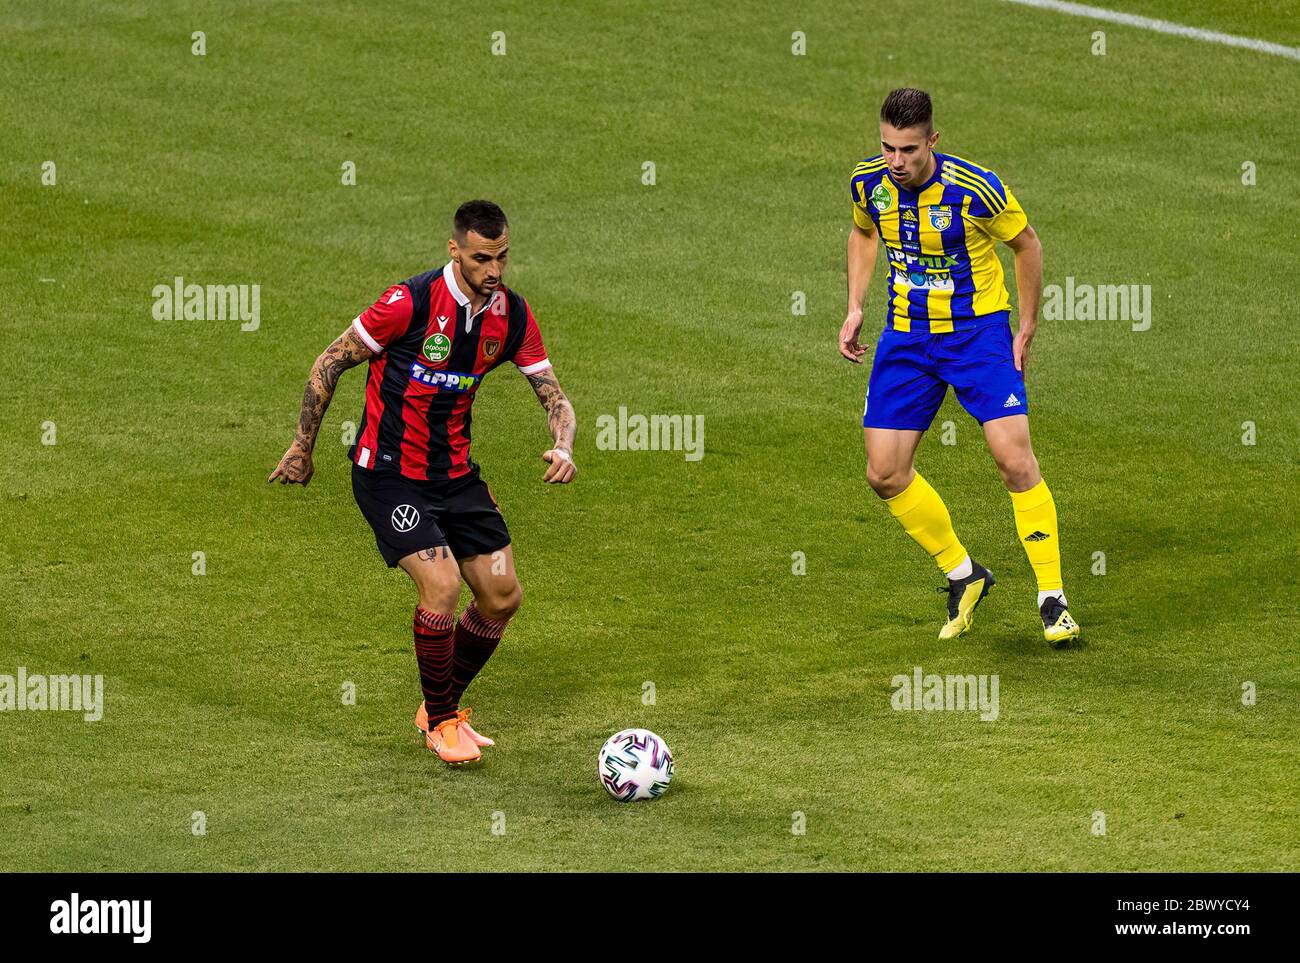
(409, 515)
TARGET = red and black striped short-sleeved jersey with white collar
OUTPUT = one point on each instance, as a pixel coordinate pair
(432, 358)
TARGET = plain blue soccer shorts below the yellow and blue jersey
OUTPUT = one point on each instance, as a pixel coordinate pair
(912, 372)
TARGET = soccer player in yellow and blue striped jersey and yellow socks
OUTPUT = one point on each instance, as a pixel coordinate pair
(948, 323)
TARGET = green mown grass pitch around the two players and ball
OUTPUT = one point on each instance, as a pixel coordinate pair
(224, 689)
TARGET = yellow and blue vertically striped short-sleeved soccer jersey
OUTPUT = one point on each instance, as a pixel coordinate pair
(944, 274)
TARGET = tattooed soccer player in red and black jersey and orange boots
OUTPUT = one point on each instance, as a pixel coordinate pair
(430, 342)
